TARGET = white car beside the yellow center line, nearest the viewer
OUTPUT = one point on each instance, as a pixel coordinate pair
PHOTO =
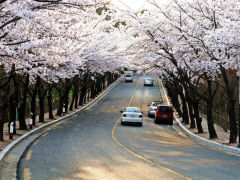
(132, 115)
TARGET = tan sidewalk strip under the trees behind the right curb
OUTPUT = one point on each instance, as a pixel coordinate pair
(223, 136)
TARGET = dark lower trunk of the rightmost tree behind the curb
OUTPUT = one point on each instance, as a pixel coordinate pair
(233, 124)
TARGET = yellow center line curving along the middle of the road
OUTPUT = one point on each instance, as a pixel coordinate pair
(137, 154)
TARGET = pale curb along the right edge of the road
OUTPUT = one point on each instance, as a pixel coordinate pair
(224, 148)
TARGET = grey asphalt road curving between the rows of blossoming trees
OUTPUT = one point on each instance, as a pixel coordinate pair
(93, 144)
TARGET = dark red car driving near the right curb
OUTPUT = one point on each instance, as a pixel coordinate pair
(164, 113)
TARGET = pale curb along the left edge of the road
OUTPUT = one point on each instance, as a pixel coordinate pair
(17, 141)
